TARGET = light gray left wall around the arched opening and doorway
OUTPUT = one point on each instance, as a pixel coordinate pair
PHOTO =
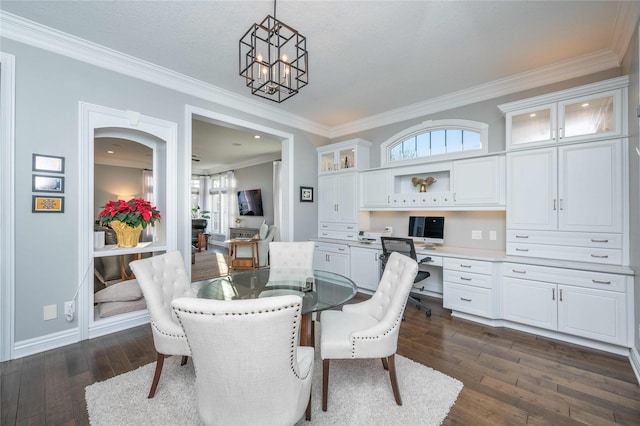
(48, 90)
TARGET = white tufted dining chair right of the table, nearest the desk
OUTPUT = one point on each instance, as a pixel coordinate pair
(369, 329)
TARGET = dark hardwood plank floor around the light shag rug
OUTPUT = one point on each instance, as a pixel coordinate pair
(509, 377)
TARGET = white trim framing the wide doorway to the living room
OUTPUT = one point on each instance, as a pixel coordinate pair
(286, 227)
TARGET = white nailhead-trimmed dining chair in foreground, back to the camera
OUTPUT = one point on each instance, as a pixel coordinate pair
(257, 374)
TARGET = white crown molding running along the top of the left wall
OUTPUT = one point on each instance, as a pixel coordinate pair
(28, 32)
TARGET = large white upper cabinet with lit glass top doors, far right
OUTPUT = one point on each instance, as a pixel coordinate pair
(566, 200)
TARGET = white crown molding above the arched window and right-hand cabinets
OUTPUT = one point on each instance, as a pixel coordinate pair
(561, 71)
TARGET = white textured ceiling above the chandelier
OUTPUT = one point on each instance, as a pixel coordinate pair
(365, 57)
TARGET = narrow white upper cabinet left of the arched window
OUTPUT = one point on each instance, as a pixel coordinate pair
(338, 199)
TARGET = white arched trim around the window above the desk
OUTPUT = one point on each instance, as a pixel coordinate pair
(432, 125)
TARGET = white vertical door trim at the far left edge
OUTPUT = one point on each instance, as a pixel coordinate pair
(7, 215)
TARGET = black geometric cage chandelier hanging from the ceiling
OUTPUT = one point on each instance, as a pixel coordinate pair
(273, 59)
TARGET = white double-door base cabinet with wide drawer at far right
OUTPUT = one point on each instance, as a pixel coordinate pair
(580, 303)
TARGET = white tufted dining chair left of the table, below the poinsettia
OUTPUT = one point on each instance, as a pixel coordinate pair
(162, 279)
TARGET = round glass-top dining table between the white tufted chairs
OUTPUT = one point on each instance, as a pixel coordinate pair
(319, 290)
